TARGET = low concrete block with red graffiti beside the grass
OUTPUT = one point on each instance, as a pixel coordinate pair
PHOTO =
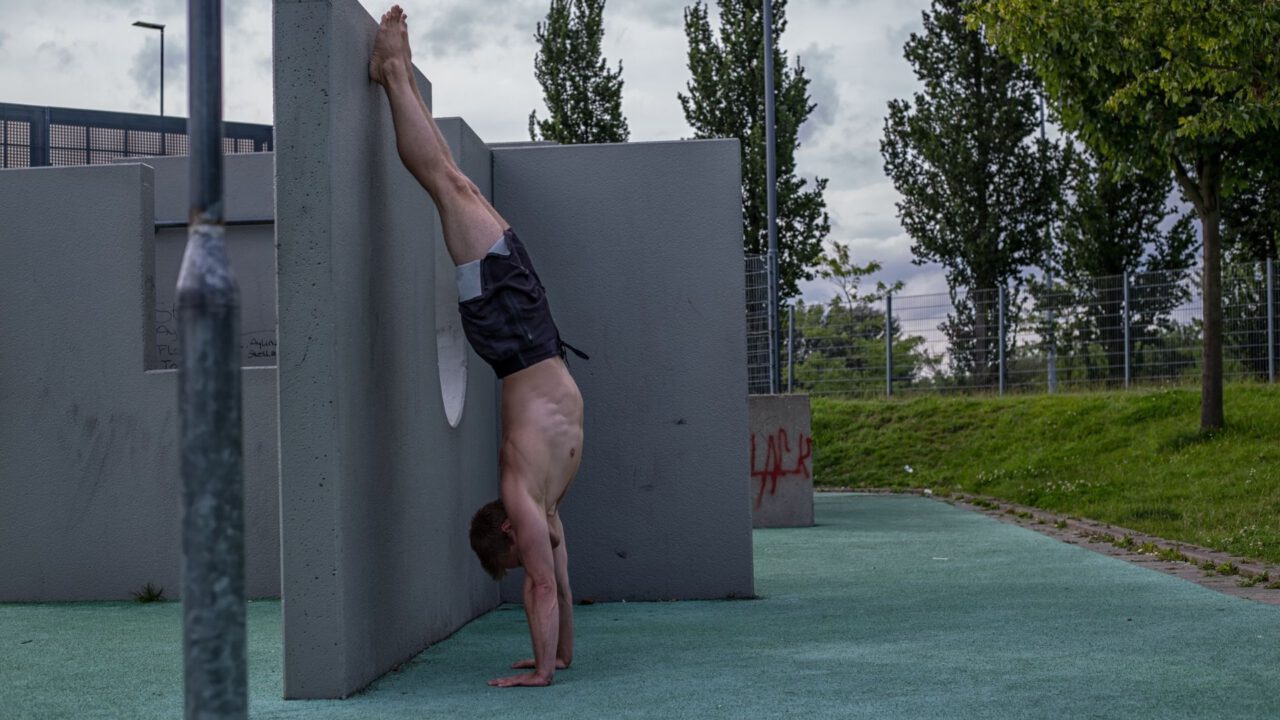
(781, 481)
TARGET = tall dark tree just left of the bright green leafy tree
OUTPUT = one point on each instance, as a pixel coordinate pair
(977, 186)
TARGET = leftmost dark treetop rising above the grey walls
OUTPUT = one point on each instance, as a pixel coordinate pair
(583, 95)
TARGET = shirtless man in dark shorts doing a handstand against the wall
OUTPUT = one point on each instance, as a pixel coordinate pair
(509, 322)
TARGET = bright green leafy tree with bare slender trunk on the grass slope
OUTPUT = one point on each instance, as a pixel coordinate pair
(1186, 85)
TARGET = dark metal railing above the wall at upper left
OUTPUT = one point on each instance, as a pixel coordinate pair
(33, 136)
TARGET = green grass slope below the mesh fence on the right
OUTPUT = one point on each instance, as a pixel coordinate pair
(1133, 459)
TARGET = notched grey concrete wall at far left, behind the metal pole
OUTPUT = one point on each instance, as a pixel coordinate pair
(89, 461)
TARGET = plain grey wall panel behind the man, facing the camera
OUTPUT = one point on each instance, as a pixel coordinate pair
(639, 247)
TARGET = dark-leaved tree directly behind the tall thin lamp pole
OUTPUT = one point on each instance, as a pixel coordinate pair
(726, 99)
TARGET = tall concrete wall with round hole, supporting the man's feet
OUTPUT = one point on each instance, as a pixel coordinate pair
(377, 486)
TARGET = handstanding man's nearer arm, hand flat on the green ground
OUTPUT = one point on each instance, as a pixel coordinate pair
(541, 604)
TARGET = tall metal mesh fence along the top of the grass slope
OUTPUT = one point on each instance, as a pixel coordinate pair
(1107, 332)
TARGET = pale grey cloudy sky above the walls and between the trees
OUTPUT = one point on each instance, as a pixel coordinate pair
(479, 57)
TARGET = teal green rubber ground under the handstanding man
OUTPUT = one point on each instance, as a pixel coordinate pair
(892, 608)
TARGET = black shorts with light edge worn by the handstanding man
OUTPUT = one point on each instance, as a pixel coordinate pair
(510, 323)
